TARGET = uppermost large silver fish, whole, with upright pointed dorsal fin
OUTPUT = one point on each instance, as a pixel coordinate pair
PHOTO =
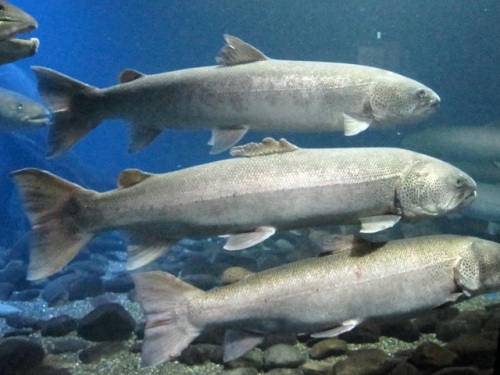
(247, 90)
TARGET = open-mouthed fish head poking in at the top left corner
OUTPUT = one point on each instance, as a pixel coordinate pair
(14, 21)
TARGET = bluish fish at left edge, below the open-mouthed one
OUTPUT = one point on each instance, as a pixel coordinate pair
(18, 112)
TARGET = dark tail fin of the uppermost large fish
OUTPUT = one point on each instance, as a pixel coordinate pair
(70, 105)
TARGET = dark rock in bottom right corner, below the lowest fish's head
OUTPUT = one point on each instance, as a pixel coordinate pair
(474, 350)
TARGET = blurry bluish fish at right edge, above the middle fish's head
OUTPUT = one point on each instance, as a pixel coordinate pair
(458, 143)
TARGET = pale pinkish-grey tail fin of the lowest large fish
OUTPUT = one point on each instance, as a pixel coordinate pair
(164, 299)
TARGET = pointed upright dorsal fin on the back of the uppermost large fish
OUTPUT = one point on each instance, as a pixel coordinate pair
(236, 52)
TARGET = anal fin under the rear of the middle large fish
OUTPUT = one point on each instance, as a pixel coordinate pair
(145, 248)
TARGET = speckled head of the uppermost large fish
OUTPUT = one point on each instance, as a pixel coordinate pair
(397, 99)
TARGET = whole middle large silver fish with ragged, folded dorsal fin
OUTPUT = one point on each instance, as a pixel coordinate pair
(269, 186)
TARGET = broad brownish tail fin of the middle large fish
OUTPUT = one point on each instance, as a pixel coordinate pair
(53, 206)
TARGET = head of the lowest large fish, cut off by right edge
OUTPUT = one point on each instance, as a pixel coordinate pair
(478, 268)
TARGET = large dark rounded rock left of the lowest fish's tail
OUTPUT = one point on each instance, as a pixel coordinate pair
(108, 322)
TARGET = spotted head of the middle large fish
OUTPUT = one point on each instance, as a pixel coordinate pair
(431, 188)
